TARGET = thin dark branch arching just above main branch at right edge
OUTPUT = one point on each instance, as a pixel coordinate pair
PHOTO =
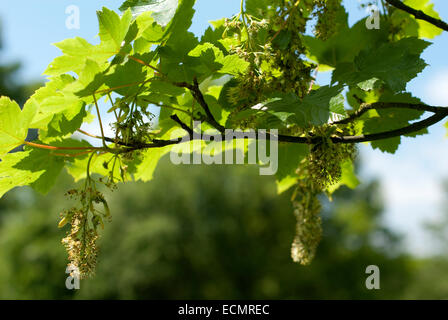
(386, 105)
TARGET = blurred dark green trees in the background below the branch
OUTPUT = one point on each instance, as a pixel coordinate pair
(208, 232)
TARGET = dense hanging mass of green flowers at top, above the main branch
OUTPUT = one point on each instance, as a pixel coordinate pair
(275, 50)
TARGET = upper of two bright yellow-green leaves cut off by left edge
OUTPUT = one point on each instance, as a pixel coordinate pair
(14, 124)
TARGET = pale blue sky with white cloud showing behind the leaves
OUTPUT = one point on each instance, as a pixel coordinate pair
(411, 179)
